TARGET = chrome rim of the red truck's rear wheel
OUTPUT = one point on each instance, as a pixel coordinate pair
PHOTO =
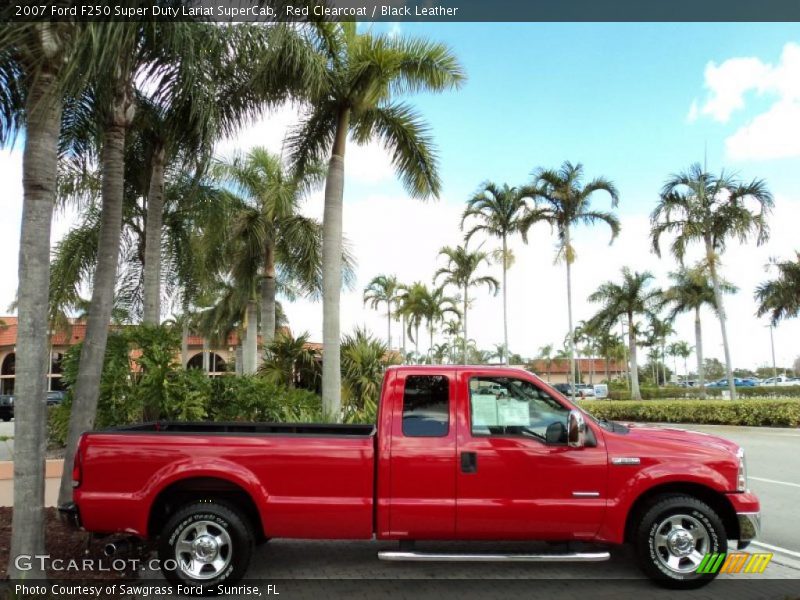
(203, 550)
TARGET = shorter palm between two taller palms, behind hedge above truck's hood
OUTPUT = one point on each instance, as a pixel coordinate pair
(625, 300)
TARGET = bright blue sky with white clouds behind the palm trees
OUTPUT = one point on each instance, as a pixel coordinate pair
(631, 102)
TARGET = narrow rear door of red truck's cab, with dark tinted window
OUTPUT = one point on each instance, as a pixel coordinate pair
(422, 496)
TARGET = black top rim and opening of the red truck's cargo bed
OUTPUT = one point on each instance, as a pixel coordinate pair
(233, 428)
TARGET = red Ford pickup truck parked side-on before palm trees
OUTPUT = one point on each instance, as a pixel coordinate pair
(458, 453)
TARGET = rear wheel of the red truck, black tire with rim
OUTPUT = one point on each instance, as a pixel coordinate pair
(227, 544)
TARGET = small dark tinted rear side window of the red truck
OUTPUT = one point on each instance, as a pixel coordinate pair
(426, 406)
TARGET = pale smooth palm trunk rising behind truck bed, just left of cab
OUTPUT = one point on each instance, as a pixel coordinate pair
(332, 272)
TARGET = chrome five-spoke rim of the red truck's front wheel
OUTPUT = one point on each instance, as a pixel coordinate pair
(680, 543)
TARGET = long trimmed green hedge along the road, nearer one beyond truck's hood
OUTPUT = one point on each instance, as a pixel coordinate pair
(774, 413)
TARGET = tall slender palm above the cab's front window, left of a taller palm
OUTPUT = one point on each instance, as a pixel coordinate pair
(497, 210)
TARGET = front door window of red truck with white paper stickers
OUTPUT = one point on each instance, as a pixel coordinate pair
(505, 406)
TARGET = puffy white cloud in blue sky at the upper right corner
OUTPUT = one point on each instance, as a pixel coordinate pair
(772, 133)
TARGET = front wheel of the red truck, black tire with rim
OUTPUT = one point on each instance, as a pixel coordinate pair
(662, 522)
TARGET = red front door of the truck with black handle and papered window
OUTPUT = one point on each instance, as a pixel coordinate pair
(517, 478)
